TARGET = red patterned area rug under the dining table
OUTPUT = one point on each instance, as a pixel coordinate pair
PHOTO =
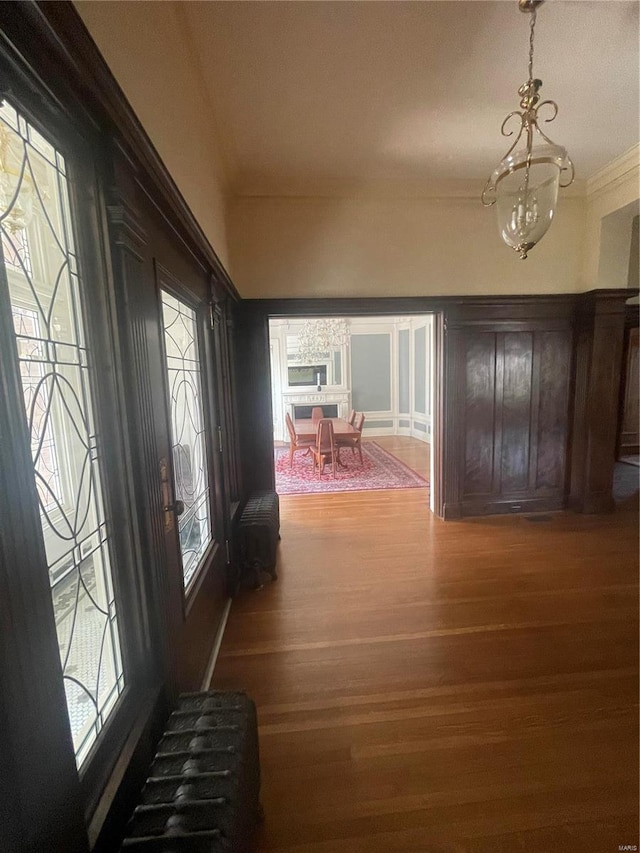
(380, 470)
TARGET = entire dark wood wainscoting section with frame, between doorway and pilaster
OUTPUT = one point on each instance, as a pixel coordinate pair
(508, 400)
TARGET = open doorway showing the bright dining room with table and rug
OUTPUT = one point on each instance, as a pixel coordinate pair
(373, 372)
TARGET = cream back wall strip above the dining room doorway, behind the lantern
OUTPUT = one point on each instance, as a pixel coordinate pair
(330, 247)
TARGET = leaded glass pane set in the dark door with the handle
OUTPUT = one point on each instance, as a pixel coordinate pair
(187, 431)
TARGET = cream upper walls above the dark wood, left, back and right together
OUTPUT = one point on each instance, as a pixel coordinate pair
(357, 246)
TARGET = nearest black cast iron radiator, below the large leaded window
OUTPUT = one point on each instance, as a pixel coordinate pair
(202, 795)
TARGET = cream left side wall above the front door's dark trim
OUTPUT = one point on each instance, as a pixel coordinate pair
(169, 94)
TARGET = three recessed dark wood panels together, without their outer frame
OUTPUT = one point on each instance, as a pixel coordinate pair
(515, 389)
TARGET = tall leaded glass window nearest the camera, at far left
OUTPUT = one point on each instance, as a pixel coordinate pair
(46, 294)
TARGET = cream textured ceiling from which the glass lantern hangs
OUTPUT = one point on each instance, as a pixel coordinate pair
(313, 98)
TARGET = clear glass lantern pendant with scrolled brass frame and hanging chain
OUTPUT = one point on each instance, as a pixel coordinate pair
(524, 185)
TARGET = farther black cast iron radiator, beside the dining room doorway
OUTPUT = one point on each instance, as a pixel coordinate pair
(258, 534)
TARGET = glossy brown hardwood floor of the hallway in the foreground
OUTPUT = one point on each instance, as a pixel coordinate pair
(468, 687)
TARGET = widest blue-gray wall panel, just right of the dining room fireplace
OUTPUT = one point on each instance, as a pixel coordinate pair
(371, 372)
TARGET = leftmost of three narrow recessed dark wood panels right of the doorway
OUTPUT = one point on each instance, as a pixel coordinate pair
(479, 414)
